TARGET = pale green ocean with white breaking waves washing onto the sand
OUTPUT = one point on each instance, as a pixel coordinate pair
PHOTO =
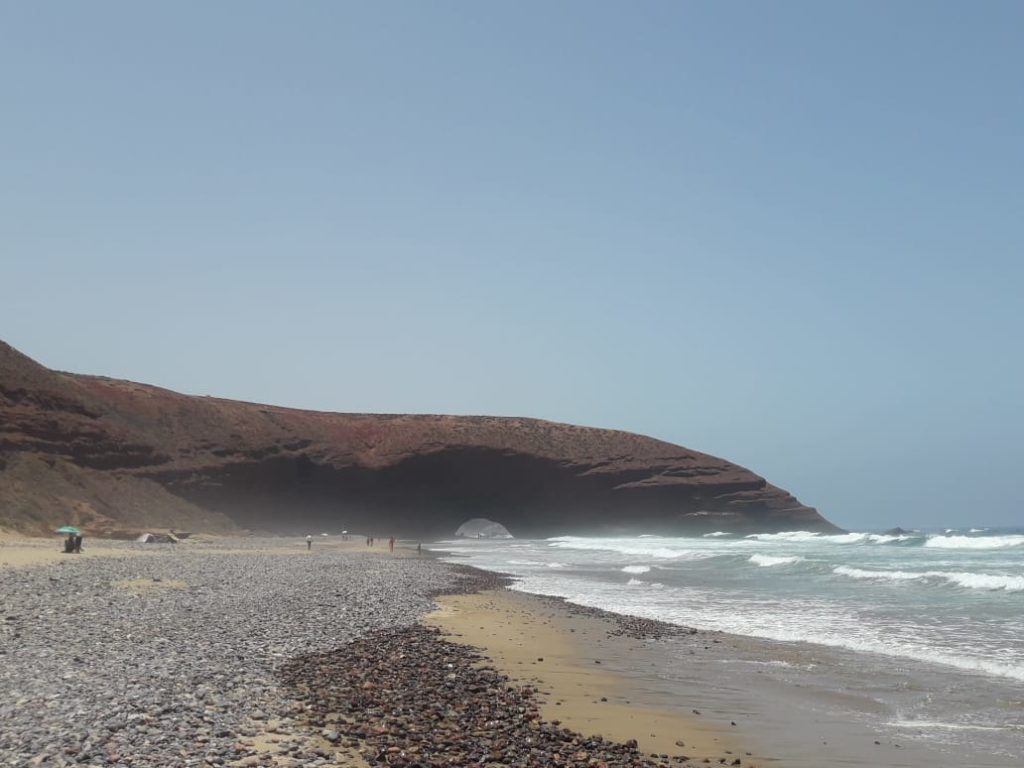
(922, 633)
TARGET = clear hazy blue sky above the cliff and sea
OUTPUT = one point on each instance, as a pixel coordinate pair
(790, 234)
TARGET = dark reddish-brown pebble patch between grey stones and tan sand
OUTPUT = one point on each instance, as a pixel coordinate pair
(394, 687)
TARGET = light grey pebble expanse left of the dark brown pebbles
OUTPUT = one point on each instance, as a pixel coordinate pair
(173, 658)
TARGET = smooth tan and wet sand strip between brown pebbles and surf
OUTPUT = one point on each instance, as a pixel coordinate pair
(792, 721)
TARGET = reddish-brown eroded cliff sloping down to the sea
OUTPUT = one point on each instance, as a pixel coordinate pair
(112, 454)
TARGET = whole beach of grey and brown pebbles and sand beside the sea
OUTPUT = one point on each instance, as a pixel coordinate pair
(267, 617)
